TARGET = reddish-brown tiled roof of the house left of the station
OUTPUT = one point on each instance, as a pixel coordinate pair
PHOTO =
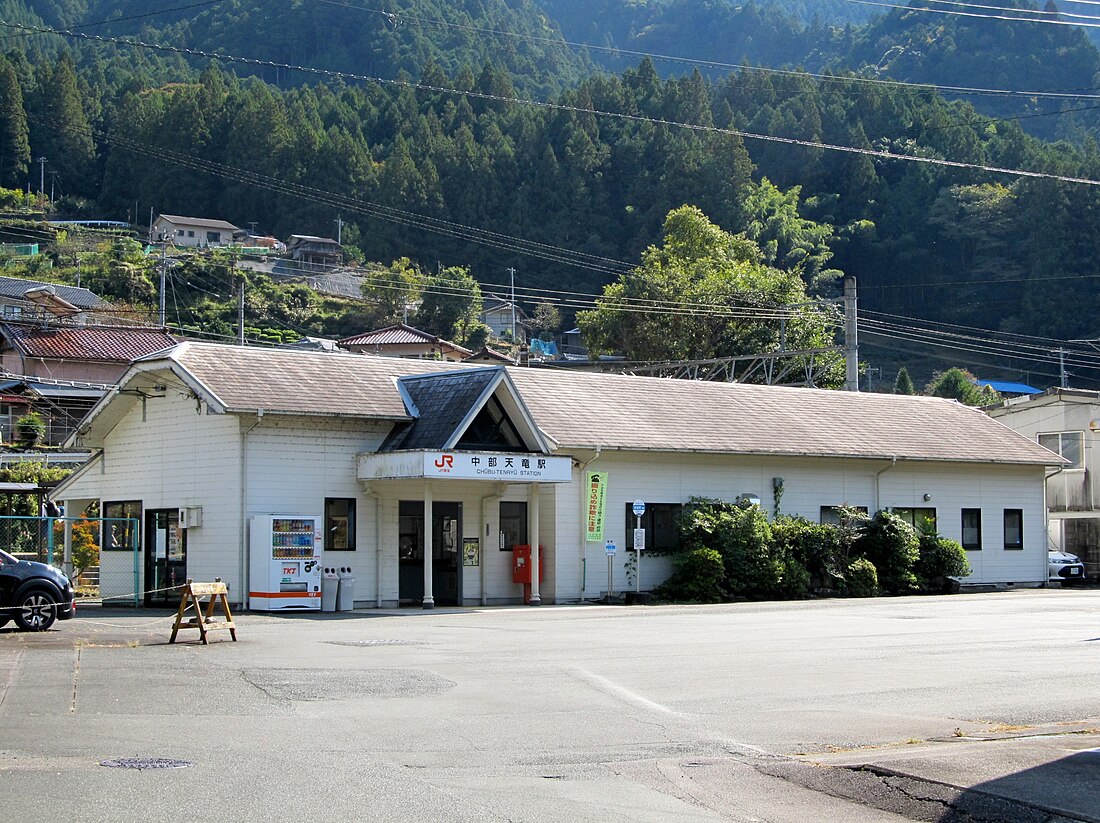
(117, 344)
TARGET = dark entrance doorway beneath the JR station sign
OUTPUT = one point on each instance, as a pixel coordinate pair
(446, 543)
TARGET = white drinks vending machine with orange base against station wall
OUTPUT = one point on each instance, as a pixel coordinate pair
(285, 563)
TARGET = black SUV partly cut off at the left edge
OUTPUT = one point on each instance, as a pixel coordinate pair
(34, 595)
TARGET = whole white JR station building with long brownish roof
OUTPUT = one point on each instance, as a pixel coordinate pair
(443, 484)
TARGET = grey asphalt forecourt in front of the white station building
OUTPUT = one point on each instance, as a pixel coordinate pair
(967, 708)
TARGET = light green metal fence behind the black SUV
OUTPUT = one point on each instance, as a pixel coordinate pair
(78, 546)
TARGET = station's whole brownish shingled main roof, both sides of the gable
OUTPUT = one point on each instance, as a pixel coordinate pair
(613, 412)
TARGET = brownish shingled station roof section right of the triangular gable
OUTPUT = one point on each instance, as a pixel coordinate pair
(615, 412)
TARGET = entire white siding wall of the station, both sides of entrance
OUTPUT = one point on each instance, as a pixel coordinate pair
(174, 455)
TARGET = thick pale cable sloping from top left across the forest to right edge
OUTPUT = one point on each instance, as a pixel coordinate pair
(882, 155)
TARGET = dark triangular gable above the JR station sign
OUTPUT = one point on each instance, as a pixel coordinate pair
(480, 409)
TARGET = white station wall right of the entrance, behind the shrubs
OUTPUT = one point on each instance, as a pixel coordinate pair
(808, 486)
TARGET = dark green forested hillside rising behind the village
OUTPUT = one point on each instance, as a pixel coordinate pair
(520, 156)
